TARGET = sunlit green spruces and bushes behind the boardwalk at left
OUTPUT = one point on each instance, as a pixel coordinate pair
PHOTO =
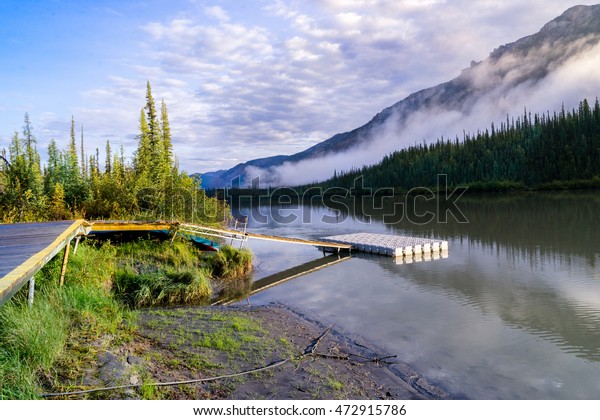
(75, 185)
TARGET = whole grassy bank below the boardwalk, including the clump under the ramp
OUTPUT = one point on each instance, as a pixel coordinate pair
(105, 282)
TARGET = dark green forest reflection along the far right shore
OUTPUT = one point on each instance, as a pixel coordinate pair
(536, 225)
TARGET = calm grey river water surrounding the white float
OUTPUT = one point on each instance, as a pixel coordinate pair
(512, 313)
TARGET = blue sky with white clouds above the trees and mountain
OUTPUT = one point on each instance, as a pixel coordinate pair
(241, 79)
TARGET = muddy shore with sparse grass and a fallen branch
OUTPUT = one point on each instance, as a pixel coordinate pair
(194, 345)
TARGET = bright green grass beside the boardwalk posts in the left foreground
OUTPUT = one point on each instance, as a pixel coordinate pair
(33, 340)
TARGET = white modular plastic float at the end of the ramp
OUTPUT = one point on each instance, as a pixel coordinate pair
(394, 246)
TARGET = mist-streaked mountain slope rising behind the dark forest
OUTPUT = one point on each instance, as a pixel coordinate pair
(512, 72)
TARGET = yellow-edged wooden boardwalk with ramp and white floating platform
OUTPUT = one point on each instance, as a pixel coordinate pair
(26, 247)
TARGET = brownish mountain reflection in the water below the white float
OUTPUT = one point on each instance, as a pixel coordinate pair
(534, 306)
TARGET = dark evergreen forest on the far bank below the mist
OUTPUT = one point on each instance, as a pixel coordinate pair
(530, 152)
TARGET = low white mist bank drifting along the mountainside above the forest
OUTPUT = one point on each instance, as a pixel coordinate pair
(504, 92)
